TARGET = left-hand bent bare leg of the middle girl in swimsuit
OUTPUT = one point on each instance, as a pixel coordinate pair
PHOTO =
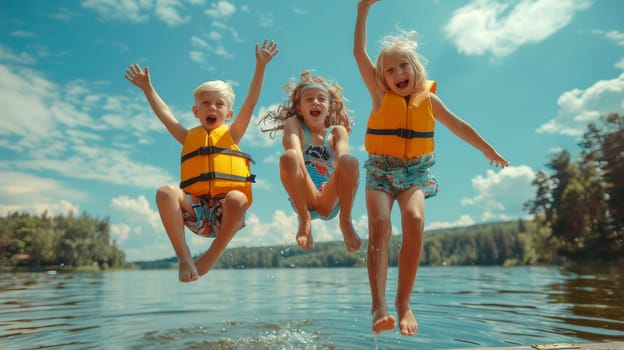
(295, 181)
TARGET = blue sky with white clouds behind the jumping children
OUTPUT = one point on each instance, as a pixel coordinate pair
(76, 136)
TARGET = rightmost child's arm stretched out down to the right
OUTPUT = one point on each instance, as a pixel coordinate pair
(465, 131)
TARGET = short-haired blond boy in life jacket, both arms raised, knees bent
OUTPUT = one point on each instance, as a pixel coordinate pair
(215, 191)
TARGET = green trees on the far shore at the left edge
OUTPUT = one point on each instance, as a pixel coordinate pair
(52, 242)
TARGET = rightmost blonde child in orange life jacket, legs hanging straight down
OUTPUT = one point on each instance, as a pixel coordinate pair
(399, 141)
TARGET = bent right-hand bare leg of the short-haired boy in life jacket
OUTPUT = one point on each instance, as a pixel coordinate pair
(234, 208)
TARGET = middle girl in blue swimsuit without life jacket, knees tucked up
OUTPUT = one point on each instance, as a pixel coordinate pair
(317, 171)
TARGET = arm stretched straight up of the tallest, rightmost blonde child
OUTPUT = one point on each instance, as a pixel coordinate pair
(364, 62)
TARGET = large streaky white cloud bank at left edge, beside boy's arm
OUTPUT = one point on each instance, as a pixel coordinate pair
(62, 133)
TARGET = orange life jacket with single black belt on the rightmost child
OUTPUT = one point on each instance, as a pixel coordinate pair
(400, 129)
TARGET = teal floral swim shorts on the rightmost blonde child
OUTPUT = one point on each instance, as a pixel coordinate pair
(393, 175)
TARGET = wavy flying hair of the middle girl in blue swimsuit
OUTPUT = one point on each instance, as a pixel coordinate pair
(338, 113)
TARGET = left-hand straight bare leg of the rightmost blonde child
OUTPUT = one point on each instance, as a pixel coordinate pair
(379, 206)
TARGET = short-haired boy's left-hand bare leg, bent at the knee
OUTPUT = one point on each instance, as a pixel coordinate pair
(170, 200)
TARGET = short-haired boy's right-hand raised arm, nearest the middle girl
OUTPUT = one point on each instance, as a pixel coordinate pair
(264, 54)
